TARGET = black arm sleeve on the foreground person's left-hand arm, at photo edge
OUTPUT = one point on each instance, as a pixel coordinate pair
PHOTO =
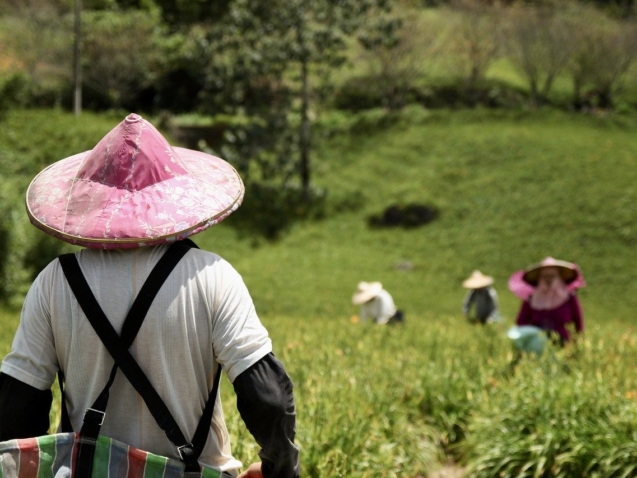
(24, 410)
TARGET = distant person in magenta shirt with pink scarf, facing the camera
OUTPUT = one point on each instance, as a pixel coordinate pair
(549, 298)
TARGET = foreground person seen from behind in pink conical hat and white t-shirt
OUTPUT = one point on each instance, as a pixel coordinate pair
(130, 201)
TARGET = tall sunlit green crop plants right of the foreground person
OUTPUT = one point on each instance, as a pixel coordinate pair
(374, 401)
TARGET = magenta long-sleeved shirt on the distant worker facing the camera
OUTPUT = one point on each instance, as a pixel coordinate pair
(554, 319)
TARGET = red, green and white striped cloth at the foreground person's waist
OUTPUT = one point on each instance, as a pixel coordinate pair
(52, 456)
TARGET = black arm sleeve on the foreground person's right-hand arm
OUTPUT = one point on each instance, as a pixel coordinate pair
(266, 404)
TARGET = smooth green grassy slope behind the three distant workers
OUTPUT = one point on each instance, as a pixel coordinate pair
(511, 187)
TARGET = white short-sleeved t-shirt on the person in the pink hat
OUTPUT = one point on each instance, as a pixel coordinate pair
(202, 316)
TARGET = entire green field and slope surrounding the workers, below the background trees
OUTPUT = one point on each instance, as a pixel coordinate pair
(397, 401)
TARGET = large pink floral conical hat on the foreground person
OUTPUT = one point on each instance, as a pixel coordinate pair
(133, 189)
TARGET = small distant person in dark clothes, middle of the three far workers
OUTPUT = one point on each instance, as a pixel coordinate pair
(481, 301)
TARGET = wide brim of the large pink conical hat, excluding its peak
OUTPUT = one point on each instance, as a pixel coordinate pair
(92, 214)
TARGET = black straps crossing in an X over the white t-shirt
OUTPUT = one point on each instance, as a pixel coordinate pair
(118, 348)
